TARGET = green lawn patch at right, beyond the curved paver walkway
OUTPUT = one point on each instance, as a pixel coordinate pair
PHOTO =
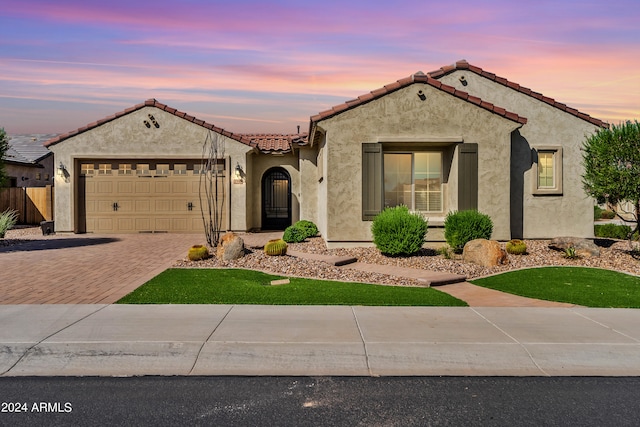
(590, 287)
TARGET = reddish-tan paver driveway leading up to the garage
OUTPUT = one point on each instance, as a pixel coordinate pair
(86, 269)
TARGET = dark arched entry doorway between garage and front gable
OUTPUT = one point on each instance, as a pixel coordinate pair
(276, 199)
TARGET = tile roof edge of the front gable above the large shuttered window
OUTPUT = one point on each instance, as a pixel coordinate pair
(418, 77)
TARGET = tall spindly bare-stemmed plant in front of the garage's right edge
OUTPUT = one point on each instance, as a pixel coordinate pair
(212, 189)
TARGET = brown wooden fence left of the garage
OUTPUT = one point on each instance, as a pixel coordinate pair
(34, 204)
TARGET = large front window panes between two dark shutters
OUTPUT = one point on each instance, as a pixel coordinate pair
(413, 180)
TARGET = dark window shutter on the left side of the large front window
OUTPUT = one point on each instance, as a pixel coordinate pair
(371, 181)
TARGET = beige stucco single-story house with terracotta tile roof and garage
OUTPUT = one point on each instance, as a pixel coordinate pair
(456, 138)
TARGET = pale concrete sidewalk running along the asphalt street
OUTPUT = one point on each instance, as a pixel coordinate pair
(125, 340)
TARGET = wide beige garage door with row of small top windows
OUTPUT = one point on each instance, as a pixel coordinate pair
(134, 197)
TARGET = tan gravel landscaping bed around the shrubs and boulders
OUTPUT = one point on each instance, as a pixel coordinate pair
(614, 255)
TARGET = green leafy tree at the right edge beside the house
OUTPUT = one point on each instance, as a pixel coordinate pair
(612, 168)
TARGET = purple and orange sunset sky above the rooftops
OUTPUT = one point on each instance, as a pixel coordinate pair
(258, 66)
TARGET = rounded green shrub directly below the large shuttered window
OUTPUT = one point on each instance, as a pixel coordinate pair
(396, 231)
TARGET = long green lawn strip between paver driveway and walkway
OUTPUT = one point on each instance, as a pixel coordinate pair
(234, 286)
